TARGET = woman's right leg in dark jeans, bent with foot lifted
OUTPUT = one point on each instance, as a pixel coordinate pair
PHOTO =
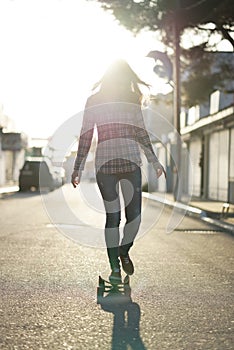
(131, 188)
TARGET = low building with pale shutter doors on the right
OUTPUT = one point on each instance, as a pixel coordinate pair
(208, 131)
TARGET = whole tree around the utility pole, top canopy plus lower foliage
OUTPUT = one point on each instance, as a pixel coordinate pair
(194, 19)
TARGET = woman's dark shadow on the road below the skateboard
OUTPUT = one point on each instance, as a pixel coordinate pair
(126, 322)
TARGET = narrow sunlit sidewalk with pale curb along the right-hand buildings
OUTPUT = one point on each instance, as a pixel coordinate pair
(208, 211)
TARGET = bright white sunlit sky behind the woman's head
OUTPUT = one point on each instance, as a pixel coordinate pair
(53, 51)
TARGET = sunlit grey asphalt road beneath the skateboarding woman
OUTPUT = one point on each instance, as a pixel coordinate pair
(182, 289)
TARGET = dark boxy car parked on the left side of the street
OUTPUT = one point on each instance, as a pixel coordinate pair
(39, 174)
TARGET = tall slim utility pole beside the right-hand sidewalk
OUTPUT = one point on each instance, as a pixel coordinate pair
(177, 101)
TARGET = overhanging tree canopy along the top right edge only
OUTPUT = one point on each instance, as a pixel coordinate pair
(160, 15)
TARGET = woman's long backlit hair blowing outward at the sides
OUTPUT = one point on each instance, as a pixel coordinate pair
(120, 78)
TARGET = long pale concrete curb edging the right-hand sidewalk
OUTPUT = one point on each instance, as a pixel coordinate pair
(193, 211)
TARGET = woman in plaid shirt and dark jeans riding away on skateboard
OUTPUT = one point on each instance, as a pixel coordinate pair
(115, 110)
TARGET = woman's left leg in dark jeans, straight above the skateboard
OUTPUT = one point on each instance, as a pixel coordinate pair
(109, 188)
